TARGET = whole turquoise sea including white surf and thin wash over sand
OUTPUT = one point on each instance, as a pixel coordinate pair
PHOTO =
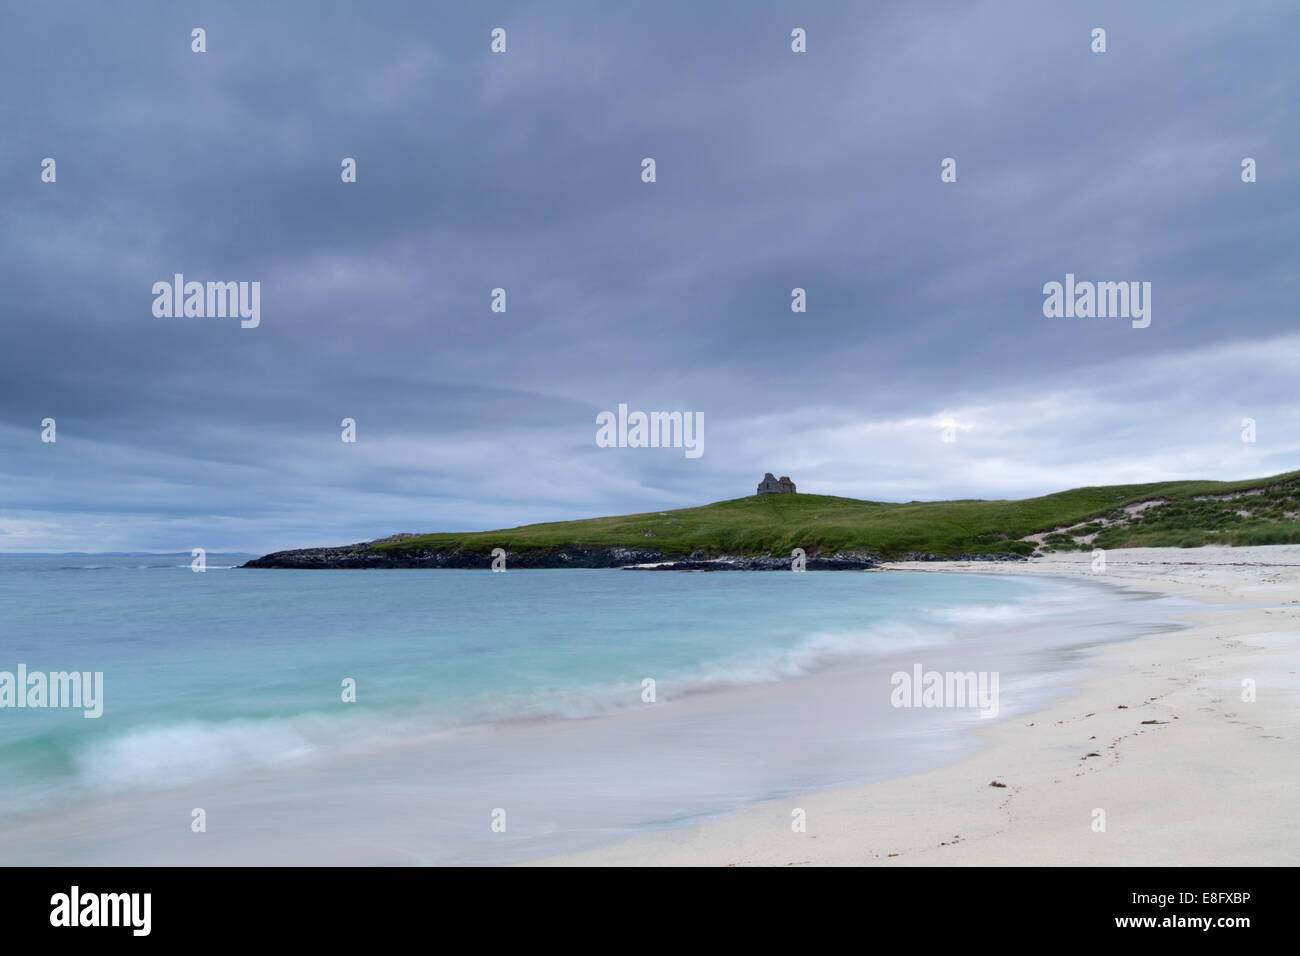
(475, 717)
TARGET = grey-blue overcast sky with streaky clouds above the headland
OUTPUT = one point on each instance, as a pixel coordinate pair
(523, 171)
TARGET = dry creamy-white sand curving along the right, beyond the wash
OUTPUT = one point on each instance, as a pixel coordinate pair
(1215, 782)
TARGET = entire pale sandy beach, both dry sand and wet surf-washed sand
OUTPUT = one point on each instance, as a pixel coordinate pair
(1185, 771)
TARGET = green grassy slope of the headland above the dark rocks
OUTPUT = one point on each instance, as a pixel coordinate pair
(1164, 514)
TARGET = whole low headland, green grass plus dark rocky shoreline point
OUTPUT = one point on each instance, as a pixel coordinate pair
(761, 531)
